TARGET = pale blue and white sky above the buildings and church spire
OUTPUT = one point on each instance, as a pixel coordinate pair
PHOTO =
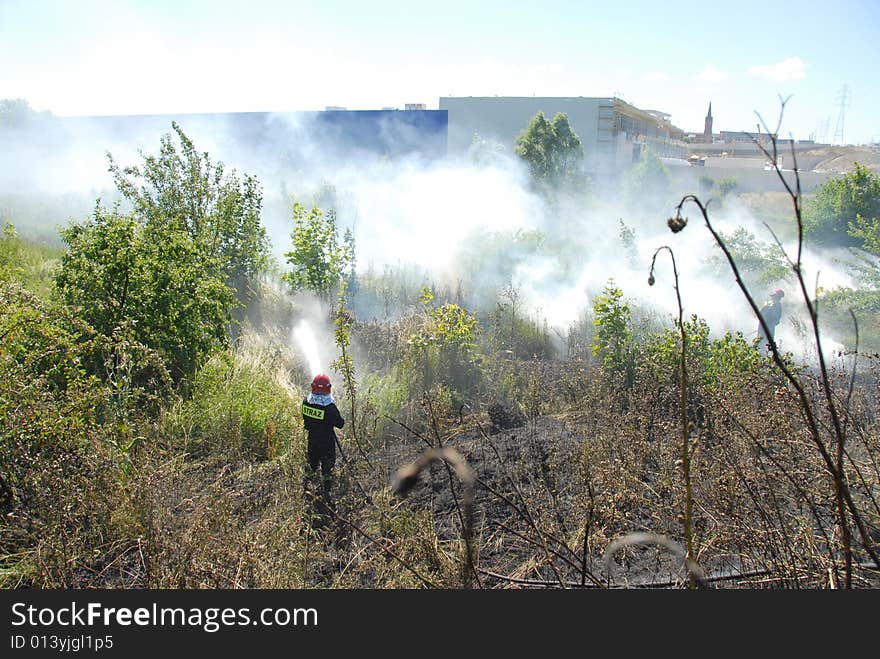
(138, 57)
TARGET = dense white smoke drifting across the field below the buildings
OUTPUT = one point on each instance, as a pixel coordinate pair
(437, 218)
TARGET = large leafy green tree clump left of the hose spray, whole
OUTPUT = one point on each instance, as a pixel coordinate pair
(179, 265)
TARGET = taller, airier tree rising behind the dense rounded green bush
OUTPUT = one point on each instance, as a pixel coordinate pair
(219, 212)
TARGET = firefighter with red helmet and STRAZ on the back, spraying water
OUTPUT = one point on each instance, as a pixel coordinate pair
(320, 416)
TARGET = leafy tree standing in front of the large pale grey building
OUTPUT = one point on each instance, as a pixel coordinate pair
(552, 151)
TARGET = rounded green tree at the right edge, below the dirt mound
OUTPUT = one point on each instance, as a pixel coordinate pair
(831, 217)
